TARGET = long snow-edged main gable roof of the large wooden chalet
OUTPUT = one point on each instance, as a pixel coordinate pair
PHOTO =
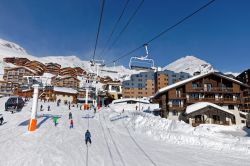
(165, 89)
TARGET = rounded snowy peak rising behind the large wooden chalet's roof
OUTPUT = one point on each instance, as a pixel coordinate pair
(189, 64)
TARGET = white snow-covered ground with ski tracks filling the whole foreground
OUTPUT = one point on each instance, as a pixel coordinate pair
(129, 138)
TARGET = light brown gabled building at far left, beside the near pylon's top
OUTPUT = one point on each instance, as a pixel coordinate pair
(16, 74)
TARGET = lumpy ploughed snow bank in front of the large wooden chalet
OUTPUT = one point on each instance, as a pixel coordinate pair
(182, 133)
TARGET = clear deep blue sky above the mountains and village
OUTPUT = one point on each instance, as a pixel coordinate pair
(220, 34)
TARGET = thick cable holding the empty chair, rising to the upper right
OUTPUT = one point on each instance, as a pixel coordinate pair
(166, 30)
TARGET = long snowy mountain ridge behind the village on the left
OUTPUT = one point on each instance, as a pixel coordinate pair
(10, 49)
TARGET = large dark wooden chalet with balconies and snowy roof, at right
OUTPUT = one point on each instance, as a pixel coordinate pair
(205, 98)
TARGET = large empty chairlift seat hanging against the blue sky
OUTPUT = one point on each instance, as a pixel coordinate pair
(143, 62)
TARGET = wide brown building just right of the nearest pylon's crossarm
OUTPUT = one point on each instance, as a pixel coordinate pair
(66, 81)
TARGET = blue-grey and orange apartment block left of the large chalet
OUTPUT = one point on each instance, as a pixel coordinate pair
(146, 84)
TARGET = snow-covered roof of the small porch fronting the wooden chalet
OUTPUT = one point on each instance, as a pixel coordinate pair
(200, 105)
